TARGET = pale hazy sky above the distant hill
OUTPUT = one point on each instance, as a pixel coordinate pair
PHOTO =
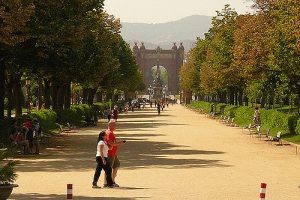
(158, 11)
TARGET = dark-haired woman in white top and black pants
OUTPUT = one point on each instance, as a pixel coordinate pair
(101, 158)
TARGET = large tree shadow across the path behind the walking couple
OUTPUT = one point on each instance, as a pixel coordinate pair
(77, 152)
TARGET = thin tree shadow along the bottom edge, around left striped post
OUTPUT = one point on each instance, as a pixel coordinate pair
(60, 197)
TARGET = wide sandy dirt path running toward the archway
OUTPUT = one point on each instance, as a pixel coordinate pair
(179, 155)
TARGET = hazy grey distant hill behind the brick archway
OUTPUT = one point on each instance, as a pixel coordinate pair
(185, 30)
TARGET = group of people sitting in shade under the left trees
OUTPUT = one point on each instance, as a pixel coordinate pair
(26, 135)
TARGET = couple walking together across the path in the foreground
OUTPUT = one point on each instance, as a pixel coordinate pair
(107, 156)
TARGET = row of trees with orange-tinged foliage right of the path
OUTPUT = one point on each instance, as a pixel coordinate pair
(248, 58)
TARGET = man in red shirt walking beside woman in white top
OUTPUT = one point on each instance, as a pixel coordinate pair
(112, 158)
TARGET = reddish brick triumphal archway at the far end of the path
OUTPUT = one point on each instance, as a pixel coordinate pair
(171, 59)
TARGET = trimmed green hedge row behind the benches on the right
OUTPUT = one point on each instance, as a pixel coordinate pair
(243, 116)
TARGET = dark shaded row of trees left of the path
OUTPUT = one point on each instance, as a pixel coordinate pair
(58, 43)
